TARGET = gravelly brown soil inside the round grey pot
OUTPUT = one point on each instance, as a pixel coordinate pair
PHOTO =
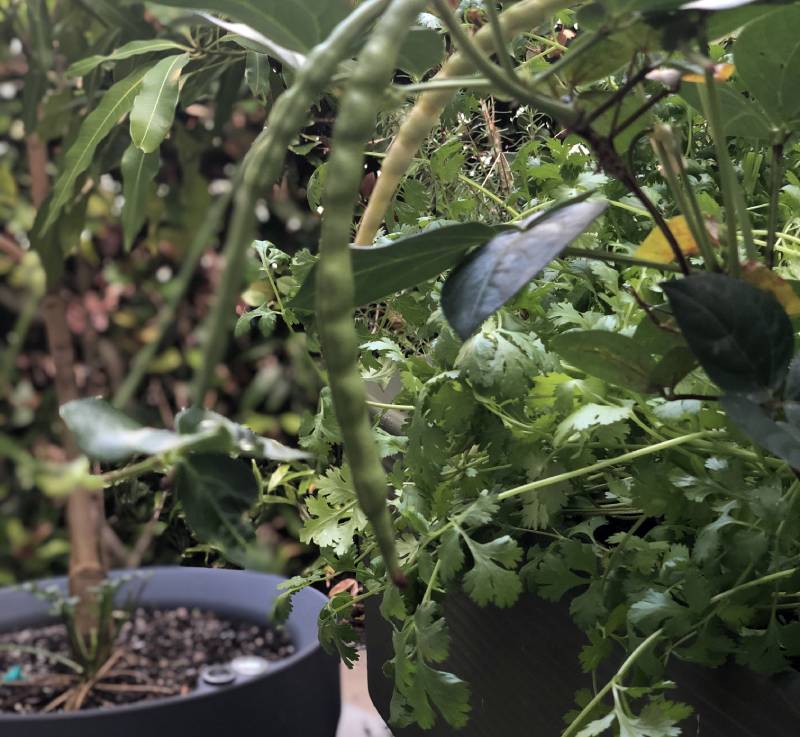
(158, 654)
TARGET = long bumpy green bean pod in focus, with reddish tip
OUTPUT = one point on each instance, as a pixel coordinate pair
(355, 123)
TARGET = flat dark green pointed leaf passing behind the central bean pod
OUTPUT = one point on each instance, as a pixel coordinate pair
(383, 270)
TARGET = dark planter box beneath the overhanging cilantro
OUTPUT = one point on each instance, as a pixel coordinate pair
(522, 666)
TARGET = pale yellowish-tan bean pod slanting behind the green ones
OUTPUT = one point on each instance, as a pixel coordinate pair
(425, 114)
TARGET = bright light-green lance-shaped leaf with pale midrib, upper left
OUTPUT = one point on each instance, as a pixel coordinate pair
(154, 107)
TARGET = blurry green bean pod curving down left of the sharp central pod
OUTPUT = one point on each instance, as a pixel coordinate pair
(263, 166)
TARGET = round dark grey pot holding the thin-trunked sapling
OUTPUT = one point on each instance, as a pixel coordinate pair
(296, 697)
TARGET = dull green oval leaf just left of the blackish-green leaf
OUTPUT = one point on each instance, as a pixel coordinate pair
(612, 357)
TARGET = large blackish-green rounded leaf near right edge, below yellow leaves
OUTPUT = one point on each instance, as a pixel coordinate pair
(740, 334)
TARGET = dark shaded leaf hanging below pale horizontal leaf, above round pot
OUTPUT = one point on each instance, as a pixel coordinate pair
(215, 492)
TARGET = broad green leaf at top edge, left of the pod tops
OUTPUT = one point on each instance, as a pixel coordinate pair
(298, 25)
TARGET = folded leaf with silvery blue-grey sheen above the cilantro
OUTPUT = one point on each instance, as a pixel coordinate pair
(500, 269)
